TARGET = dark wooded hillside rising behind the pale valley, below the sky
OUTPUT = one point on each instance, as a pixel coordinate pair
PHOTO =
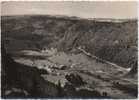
(114, 40)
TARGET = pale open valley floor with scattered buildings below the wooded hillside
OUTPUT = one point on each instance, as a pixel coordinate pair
(99, 75)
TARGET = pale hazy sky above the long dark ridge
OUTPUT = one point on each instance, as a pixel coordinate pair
(101, 9)
